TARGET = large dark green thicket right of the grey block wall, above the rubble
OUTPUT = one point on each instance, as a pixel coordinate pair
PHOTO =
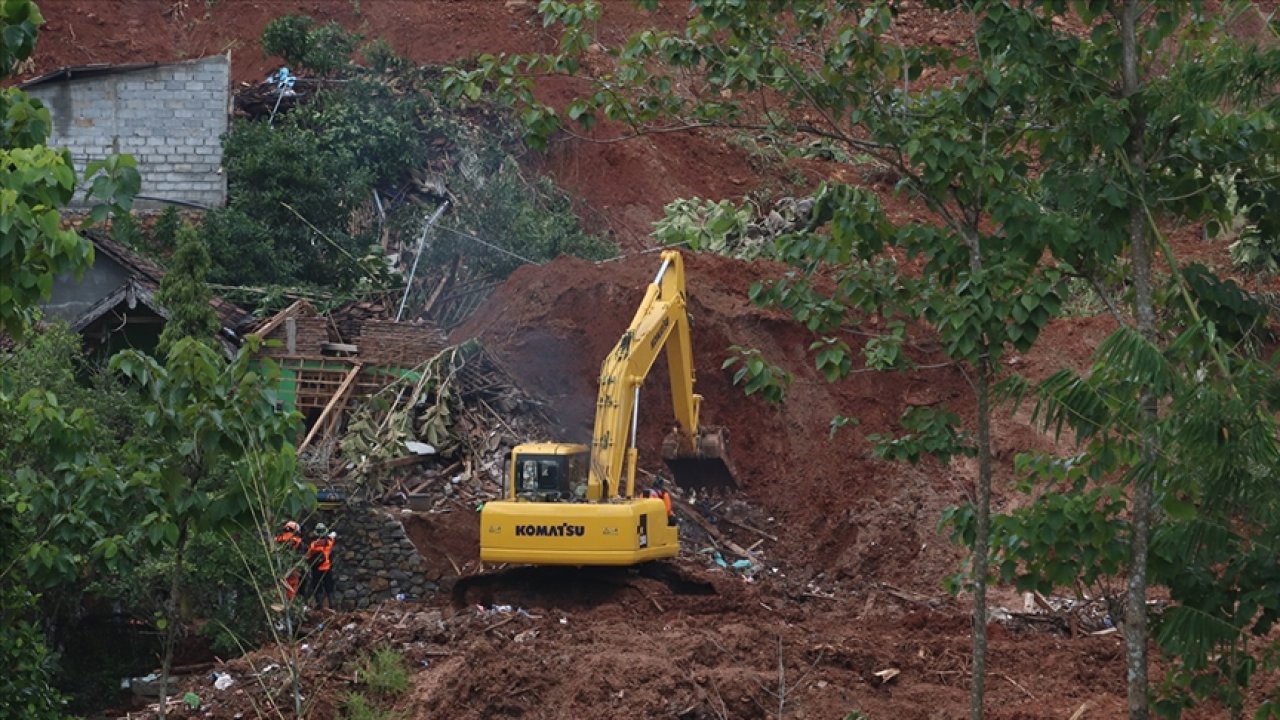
(300, 188)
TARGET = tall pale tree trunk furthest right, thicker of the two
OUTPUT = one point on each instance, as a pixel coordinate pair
(1136, 631)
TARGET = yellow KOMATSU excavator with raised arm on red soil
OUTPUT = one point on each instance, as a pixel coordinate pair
(568, 504)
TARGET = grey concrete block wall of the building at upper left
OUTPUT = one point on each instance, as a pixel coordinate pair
(170, 117)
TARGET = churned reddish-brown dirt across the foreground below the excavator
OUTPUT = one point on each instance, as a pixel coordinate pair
(653, 651)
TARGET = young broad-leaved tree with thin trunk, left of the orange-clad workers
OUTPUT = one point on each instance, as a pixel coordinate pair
(230, 454)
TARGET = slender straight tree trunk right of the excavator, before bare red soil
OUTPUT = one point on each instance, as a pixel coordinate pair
(982, 543)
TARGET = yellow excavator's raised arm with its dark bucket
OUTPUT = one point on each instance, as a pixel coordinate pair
(693, 453)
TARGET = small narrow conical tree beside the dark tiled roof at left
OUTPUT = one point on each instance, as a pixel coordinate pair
(185, 297)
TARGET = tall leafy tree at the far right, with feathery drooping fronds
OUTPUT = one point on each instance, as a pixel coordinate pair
(1173, 124)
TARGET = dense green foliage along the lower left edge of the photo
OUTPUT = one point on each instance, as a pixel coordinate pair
(61, 514)
